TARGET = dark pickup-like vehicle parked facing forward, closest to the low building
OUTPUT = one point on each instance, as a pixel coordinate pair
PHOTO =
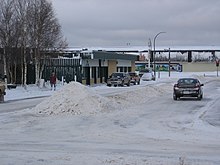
(119, 79)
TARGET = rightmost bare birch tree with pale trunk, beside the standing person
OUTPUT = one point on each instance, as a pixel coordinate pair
(46, 32)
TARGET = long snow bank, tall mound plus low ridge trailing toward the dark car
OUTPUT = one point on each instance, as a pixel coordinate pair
(76, 99)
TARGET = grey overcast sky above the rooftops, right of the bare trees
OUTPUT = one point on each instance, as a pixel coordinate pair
(123, 22)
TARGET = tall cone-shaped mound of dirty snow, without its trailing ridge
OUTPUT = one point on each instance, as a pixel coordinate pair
(76, 99)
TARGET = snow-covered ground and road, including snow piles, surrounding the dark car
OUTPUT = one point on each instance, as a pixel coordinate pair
(95, 125)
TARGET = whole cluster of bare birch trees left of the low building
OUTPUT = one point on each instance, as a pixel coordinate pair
(28, 28)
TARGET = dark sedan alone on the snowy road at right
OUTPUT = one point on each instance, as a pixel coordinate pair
(188, 87)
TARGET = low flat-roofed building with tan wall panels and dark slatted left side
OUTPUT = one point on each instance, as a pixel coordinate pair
(88, 66)
